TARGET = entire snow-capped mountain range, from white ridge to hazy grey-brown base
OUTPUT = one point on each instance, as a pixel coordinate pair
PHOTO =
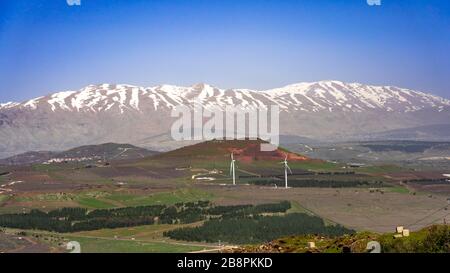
(327, 110)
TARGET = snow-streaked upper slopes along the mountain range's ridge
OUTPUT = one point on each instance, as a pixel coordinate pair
(307, 97)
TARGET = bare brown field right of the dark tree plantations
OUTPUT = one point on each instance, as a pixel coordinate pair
(378, 210)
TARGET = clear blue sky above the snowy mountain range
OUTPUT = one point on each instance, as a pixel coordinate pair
(48, 46)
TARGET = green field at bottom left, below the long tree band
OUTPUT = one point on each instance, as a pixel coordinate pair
(141, 239)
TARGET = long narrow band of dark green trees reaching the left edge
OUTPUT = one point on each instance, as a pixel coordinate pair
(80, 219)
